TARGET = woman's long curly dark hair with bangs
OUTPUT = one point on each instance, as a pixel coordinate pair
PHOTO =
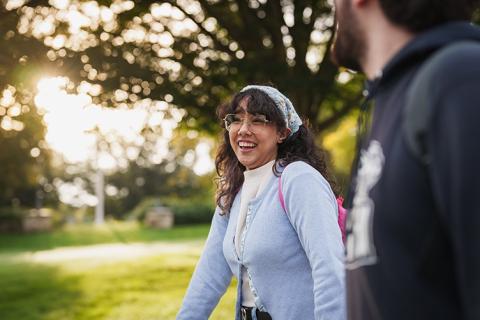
(298, 147)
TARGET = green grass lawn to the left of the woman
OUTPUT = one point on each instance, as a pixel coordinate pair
(150, 287)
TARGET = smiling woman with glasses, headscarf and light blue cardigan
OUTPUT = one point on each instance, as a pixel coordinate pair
(275, 227)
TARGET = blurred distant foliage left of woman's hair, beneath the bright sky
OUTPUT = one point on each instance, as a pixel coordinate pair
(143, 182)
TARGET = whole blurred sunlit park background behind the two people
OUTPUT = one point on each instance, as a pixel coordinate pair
(108, 134)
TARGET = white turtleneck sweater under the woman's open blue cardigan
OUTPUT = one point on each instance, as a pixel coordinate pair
(254, 182)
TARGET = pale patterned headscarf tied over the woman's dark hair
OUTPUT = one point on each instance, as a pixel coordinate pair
(292, 120)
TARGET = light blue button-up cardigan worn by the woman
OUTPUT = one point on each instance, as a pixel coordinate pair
(294, 259)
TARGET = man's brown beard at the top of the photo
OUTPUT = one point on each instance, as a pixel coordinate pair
(348, 48)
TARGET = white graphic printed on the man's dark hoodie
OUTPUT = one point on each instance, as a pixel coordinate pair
(360, 248)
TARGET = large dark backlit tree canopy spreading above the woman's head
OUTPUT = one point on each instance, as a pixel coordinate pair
(192, 54)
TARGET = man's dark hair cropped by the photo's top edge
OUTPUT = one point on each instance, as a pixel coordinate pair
(420, 15)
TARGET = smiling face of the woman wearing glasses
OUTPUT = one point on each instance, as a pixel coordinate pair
(254, 143)
